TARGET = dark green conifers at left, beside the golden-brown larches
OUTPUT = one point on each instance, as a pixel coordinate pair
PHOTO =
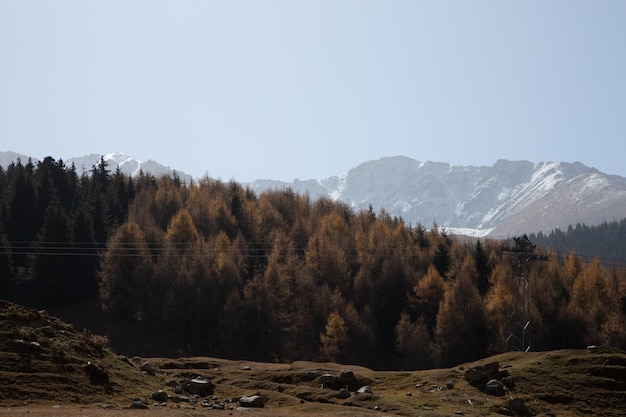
(53, 221)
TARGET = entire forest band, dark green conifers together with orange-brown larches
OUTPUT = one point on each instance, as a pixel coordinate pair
(281, 277)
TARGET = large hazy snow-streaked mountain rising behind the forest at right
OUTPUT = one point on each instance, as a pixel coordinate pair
(506, 199)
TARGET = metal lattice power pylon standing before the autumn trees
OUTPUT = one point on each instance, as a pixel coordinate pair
(518, 322)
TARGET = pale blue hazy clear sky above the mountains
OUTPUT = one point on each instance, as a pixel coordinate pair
(308, 89)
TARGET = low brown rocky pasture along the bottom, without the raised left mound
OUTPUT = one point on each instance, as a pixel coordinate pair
(557, 383)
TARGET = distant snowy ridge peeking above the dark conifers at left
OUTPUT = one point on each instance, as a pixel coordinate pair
(127, 164)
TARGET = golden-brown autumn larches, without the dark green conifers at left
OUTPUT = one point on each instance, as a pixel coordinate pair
(280, 277)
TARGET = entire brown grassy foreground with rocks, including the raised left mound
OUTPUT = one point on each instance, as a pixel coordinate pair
(44, 371)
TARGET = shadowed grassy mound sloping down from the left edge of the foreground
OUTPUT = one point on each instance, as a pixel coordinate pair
(43, 359)
